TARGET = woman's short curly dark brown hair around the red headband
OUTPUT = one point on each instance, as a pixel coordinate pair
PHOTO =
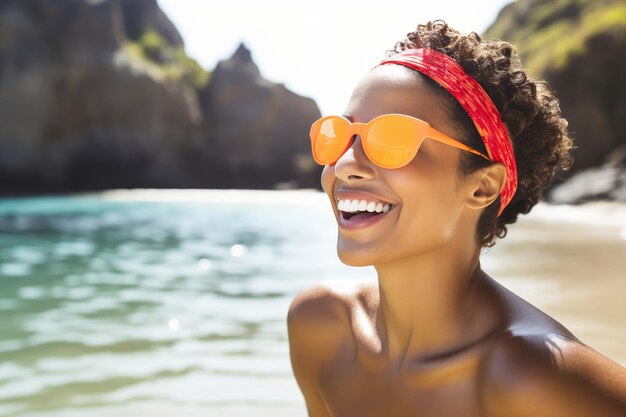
(529, 109)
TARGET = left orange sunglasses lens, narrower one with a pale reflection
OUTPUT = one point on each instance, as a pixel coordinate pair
(330, 139)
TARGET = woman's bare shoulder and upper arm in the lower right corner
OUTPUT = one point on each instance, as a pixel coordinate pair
(543, 376)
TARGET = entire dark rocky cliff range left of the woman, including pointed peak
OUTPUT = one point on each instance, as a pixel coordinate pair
(100, 94)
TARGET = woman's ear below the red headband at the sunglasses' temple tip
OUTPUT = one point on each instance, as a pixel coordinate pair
(484, 186)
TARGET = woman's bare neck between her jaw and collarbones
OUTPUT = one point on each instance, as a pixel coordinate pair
(432, 305)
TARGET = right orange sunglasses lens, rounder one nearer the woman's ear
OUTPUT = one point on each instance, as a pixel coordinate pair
(392, 141)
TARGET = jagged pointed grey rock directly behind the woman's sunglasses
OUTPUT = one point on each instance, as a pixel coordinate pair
(258, 129)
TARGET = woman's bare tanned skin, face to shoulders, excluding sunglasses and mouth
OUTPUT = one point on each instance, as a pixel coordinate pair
(434, 336)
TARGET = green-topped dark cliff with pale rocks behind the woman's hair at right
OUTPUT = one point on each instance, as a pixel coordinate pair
(579, 46)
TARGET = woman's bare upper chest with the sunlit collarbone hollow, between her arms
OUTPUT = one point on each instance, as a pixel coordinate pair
(354, 384)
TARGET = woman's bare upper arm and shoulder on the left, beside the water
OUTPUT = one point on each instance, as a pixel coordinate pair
(314, 324)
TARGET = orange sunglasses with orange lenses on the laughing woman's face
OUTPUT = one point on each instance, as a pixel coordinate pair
(389, 141)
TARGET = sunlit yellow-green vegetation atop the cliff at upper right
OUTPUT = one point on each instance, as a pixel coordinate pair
(549, 33)
